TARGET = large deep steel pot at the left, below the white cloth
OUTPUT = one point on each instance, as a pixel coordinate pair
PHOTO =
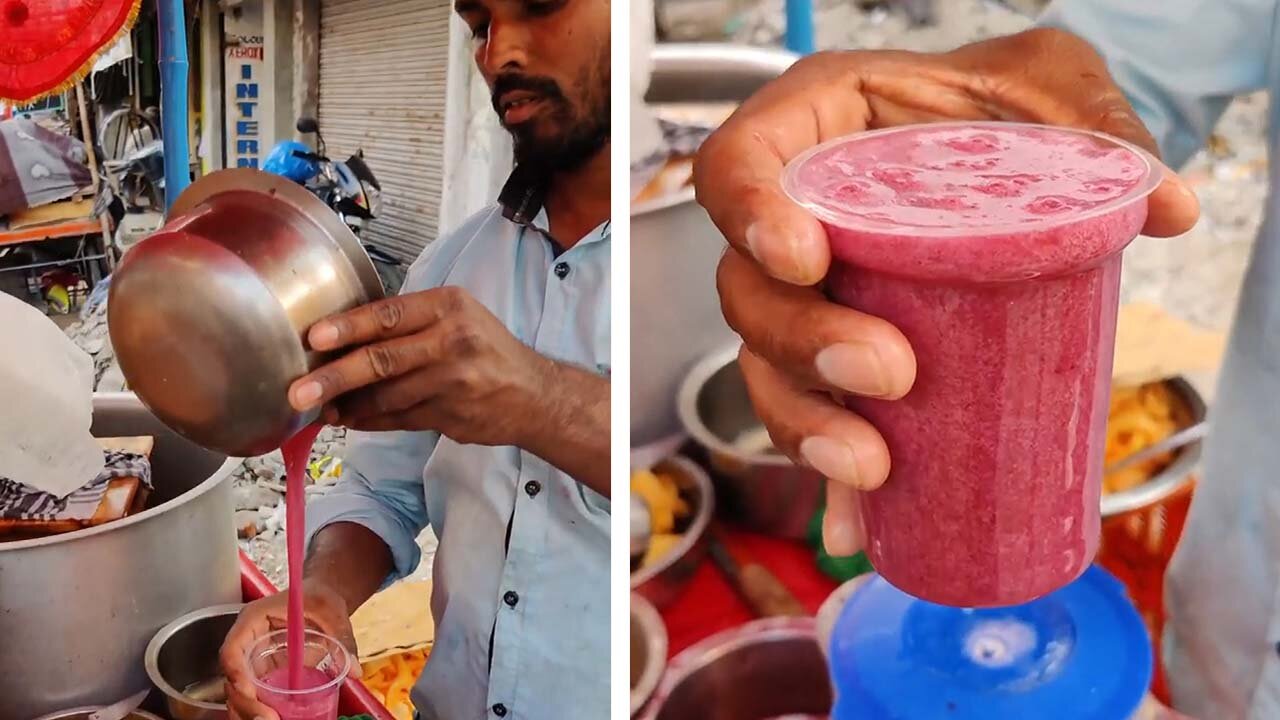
(79, 610)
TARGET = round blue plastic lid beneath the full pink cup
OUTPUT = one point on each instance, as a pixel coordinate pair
(1082, 650)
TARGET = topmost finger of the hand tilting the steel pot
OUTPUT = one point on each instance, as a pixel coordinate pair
(390, 318)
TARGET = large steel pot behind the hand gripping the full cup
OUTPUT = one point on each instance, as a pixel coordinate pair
(675, 248)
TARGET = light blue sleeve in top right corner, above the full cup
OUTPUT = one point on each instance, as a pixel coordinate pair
(1180, 62)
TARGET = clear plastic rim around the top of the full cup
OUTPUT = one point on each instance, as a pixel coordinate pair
(831, 216)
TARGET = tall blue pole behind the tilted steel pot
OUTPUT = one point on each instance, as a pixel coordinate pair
(173, 98)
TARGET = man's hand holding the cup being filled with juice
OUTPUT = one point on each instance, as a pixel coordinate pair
(326, 612)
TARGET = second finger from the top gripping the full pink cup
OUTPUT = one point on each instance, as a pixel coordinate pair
(811, 339)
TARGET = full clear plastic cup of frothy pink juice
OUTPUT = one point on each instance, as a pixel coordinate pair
(995, 249)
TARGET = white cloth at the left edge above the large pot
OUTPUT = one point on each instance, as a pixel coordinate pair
(47, 384)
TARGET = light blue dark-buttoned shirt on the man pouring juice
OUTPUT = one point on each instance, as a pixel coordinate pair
(541, 598)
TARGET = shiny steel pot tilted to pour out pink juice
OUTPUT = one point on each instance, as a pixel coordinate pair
(208, 316)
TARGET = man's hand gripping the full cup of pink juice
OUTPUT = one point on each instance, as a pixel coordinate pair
(798, 345)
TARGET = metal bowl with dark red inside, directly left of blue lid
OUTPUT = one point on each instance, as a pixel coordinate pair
(770, 668)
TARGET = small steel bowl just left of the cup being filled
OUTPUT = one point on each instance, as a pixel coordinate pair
(185, 653)
